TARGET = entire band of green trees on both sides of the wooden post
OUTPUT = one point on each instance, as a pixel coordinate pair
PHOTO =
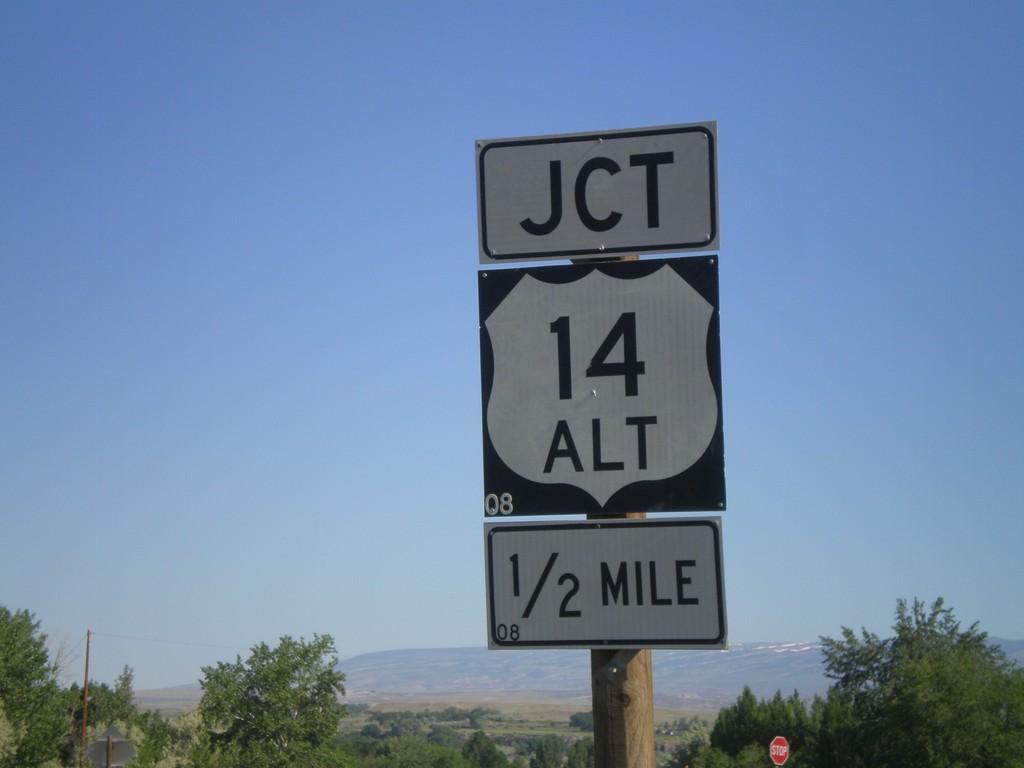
(933, 696)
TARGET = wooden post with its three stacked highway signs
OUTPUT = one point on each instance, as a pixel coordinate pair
(603, 396)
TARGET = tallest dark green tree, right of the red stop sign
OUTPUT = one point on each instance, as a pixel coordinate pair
(931, 697)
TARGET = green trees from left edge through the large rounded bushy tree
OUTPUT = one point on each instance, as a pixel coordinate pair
(279, 708)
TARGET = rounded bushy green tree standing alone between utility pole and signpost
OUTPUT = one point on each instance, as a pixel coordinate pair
(278, 709)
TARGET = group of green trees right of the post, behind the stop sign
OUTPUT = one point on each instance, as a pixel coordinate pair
(933, 696)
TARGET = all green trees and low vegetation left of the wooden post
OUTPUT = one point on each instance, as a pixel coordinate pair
(281, 708)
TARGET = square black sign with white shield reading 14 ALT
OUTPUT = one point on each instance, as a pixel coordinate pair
(603, 389)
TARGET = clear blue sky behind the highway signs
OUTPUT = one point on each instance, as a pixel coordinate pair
(239, 350)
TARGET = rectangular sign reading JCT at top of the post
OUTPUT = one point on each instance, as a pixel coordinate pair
(605, 193)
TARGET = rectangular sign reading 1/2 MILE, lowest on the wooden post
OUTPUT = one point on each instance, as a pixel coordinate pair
(616, 584)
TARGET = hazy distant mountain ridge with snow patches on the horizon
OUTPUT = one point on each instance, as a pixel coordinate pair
(695, 679)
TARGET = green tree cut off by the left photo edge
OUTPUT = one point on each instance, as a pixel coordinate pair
(35, 727)
